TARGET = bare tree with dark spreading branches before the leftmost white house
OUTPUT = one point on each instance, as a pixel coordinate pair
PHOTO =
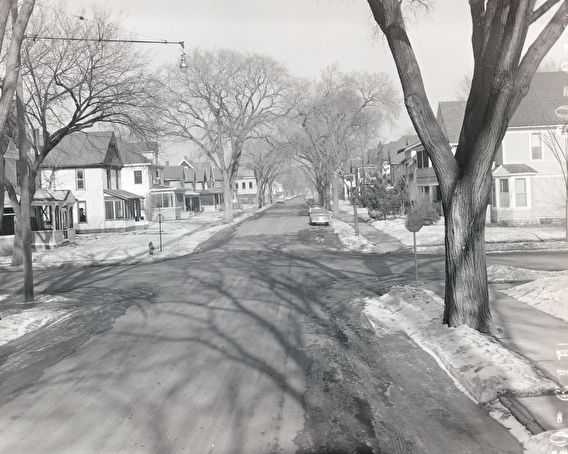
(74, 77)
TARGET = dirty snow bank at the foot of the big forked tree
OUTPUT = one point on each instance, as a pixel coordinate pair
(478, 362)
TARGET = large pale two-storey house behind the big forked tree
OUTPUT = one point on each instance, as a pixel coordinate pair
(529, 182)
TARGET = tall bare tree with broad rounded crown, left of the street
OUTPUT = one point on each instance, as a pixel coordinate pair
(225, 99)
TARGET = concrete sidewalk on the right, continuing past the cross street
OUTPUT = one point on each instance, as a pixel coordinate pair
(541, 338)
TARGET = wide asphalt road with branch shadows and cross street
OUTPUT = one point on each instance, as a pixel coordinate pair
(256, 343)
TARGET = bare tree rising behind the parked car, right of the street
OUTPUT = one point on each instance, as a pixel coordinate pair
(339, 119)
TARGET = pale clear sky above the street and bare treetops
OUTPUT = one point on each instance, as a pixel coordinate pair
(308, 36)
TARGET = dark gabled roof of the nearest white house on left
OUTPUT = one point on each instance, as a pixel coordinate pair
(84, 149)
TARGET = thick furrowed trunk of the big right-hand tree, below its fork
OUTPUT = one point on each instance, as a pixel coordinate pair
(466, 293)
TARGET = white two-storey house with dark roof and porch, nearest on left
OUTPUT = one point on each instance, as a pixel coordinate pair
(89, 164)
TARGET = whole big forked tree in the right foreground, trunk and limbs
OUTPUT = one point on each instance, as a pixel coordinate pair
(504, 64)
